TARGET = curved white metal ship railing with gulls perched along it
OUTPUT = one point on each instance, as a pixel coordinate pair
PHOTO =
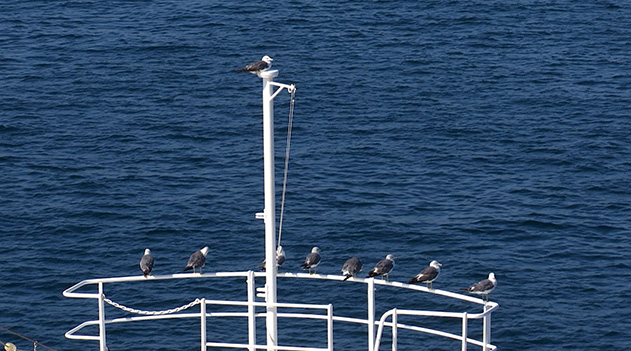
(374, 338)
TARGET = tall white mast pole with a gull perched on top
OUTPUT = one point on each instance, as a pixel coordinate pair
(270, 206)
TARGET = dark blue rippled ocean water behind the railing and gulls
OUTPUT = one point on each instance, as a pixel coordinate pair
(490, 136)
